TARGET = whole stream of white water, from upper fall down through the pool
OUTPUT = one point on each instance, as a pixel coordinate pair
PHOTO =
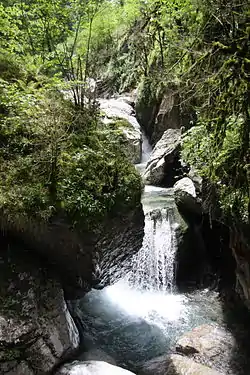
(143, 315)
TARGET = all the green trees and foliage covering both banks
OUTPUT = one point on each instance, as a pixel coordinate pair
(199, 49)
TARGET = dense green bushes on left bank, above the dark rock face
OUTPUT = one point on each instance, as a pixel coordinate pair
(55, 161)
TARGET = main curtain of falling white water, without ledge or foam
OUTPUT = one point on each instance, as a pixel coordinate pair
(152, 268)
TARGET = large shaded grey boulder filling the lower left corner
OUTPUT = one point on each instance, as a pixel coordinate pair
(36, 329)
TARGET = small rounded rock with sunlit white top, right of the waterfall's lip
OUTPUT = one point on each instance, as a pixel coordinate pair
(185, 197)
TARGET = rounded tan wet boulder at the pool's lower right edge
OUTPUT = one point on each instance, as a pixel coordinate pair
(211, 345)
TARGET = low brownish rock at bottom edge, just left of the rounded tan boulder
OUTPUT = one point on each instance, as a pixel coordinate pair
(176, 365)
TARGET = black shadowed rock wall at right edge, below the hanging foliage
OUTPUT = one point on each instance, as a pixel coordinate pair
(230, 258)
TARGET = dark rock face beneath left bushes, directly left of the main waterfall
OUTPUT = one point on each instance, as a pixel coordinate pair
(84, 260)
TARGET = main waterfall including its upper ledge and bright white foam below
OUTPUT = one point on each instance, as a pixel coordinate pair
(147, 291)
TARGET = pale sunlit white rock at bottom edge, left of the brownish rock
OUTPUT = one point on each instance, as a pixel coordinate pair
(92, 368)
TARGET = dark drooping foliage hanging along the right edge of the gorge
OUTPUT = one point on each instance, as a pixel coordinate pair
(219, 80)
